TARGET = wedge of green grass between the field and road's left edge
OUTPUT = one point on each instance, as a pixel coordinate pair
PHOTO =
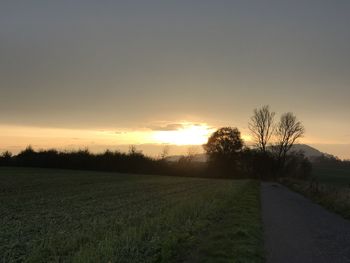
(237, 240)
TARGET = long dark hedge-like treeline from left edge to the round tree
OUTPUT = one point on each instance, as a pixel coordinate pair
(133, 161)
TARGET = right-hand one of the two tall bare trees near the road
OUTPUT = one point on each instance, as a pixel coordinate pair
(288, 131)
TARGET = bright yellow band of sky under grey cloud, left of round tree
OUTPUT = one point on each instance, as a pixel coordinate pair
(177, 134)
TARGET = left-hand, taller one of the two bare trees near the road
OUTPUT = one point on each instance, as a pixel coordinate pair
(261, 126)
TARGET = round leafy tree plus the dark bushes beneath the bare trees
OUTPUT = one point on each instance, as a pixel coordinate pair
(229, 157)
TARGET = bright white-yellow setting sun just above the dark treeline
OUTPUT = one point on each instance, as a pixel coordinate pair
(189, 134)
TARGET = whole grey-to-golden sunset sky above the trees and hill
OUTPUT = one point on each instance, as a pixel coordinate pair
(108, 74)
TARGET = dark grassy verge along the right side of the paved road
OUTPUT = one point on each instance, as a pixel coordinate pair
(330, 196)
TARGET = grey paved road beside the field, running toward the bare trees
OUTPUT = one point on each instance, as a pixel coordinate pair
(297, 230)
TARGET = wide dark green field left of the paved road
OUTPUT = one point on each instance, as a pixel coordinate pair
(78, 216)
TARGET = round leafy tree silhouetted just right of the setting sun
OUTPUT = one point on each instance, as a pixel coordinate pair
(224, 145)
